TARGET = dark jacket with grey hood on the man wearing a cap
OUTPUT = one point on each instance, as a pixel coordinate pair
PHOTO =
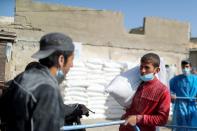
(33, 102)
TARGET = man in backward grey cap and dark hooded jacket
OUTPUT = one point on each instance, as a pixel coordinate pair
(35, 102)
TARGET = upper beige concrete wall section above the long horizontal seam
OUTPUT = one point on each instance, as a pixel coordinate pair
(98, 27)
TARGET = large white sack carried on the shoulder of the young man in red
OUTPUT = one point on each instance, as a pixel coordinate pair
(123, 87)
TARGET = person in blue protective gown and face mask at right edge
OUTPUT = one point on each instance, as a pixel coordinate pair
(184, 85)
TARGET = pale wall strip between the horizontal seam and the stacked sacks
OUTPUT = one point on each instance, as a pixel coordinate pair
(129, 55)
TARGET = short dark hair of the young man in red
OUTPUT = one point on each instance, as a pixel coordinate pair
(152, 58)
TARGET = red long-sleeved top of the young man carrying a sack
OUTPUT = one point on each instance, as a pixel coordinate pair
(151, 104)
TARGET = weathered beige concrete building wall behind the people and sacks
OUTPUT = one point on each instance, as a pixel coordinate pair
(101, 33)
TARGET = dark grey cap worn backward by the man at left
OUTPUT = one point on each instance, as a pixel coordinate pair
(52, 42)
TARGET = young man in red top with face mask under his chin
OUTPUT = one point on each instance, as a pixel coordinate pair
(151, 103)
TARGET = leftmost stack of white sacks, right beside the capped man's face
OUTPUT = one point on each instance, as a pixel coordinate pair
(76, 84)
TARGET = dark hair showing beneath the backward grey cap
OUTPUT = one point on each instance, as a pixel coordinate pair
(52, 60)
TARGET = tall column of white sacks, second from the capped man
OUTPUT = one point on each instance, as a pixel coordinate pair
(95, 89)
